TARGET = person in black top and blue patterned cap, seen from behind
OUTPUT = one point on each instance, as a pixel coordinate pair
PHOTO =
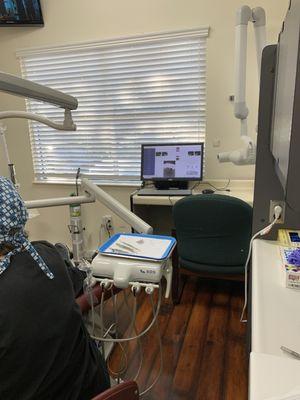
(45, 350)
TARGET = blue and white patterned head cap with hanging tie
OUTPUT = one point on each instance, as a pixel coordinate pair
(13, 217)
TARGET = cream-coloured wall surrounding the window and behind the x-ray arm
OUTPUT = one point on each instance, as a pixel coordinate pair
(69, 21)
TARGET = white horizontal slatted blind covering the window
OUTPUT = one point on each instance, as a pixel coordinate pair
(149, 89)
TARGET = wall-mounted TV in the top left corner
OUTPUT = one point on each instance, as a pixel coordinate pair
(20, 13)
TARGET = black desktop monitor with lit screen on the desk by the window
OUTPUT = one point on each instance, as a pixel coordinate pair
(172, 162)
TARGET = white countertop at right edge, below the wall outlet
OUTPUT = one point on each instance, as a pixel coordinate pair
(275, 322)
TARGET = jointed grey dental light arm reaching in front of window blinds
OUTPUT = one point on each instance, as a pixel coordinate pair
(21, 87)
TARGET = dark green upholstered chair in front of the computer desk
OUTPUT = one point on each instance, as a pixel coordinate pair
(213, 234)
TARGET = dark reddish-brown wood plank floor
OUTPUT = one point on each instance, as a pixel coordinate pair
(204, 344)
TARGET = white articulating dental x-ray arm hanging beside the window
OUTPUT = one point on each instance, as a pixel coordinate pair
(247, 154)
